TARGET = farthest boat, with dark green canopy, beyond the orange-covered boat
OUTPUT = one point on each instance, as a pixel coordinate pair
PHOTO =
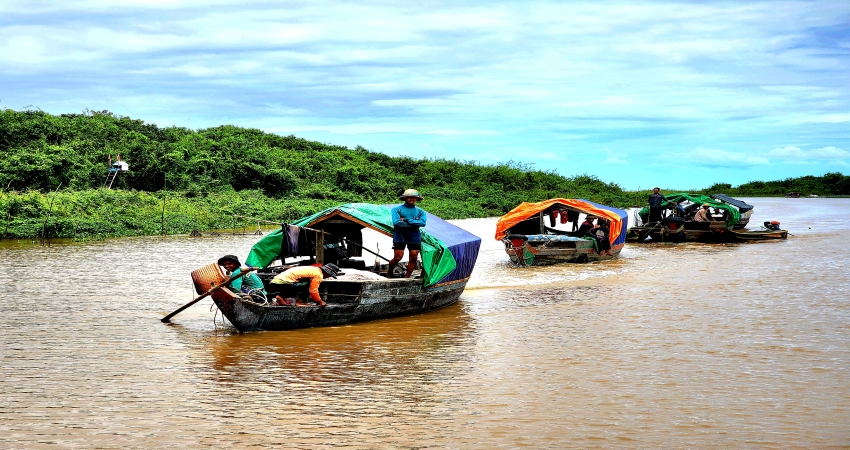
(726, 219)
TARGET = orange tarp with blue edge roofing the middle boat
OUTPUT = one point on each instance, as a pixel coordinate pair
(618, 218)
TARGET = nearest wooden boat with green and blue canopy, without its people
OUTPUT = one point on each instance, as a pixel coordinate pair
(448, 257)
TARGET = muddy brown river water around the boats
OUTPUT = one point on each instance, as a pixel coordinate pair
(668, 346)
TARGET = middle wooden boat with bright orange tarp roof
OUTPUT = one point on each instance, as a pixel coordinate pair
(528, 241)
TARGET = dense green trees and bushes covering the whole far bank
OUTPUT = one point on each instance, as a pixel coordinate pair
(206, 176)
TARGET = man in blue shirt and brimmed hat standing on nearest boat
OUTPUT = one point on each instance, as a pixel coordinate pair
(407, 220)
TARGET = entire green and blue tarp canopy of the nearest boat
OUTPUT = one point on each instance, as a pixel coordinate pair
(439, 262)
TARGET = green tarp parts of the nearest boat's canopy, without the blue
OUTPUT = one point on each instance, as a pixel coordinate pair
(437, 260)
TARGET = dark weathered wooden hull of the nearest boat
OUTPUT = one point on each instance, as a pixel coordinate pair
(347, 302)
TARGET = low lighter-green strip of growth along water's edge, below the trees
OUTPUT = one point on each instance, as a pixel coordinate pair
(102, 213)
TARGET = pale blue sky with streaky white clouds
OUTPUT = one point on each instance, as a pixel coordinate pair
(672, 94)
